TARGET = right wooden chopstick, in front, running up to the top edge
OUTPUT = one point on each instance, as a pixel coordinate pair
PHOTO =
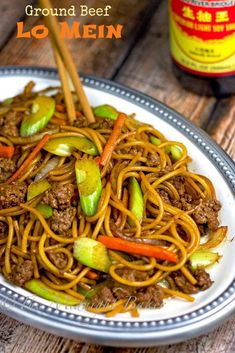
(53, 26)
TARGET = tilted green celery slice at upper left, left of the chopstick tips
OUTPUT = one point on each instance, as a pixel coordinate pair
(41, 112)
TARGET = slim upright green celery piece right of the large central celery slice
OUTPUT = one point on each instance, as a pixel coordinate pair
(136, 201)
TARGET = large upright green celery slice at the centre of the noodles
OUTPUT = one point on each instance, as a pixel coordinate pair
(89, 185)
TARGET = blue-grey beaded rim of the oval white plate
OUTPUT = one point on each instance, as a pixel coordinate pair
(122, 333)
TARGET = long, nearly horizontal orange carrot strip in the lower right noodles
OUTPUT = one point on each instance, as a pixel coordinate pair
(138, 249)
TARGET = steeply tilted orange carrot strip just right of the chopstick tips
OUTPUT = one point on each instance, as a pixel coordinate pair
(111, 143)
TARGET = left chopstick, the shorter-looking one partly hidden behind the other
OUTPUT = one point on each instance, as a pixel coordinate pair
(65, 86)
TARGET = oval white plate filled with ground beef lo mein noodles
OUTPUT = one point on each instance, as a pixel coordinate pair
(121, 229)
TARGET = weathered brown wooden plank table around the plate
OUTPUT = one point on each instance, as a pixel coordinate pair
(139, 60)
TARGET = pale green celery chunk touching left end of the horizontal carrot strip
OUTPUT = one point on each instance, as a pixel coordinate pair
(92, 253)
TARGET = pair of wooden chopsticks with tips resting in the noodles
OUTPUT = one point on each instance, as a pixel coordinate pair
(67, 69)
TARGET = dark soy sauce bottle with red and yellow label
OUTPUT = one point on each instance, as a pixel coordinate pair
(202, 45)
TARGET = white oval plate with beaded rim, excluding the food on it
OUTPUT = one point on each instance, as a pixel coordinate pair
(178, 319)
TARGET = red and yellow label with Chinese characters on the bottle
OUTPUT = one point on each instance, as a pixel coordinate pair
(202, 36)
